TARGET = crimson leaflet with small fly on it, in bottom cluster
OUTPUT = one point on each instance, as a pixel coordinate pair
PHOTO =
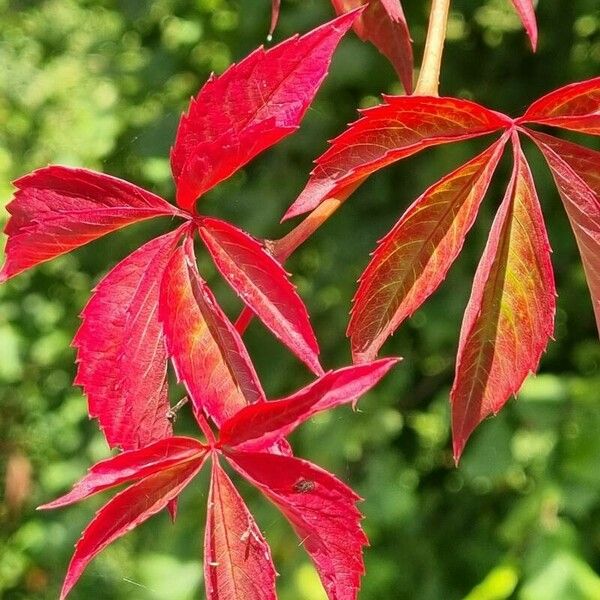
(322, 511)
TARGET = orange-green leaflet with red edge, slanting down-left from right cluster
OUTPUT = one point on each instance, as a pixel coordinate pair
(412, 260)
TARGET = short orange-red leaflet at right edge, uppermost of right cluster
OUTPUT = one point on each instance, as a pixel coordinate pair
(575, 107)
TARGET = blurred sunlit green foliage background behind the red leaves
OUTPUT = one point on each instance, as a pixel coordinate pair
(102, 84)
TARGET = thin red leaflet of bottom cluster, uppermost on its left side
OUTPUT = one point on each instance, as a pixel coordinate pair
(130, 466)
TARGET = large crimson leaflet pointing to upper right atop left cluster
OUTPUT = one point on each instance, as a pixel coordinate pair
(252, 106)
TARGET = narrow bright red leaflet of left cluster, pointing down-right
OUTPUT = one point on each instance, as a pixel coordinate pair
(263, 285)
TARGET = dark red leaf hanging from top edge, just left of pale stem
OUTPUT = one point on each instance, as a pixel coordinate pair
(384, 25)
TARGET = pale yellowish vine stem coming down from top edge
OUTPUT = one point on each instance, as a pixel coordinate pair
(429, 77)
